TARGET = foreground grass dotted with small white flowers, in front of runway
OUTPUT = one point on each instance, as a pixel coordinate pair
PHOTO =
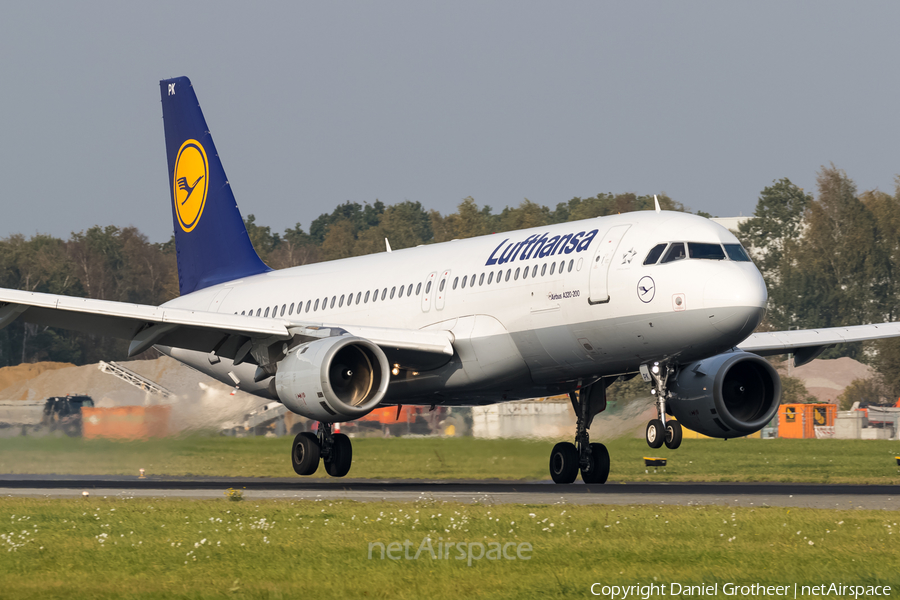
(140, 548)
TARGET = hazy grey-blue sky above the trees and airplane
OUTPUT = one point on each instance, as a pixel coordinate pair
(314, 104)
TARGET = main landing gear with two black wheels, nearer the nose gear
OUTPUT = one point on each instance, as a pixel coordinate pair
(567, 459)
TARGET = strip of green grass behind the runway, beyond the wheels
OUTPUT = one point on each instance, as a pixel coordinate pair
(820, 461)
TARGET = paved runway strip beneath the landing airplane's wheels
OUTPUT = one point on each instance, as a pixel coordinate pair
(878, 497)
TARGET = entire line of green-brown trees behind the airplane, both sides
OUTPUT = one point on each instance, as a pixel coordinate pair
(829, 259)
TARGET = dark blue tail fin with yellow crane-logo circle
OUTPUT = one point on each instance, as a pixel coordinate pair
(211, 242)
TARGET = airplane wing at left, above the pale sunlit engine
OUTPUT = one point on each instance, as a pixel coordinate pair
(226, 335)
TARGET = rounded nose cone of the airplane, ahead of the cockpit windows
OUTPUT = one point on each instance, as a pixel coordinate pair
(736, 300)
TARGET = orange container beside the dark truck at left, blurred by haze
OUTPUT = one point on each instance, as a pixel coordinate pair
(125, 422)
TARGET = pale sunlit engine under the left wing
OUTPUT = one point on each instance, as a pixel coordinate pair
(334, 379)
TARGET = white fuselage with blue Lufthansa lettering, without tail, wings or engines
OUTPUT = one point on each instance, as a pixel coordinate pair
(535, 311)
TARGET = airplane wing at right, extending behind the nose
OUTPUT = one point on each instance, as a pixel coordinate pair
(807, 344)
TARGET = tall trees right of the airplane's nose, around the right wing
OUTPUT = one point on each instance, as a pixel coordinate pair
(831, 260)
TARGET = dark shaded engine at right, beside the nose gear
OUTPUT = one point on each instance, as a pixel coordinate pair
(726, 396)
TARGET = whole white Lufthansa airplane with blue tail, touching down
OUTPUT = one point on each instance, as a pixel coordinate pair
(560, 309)
